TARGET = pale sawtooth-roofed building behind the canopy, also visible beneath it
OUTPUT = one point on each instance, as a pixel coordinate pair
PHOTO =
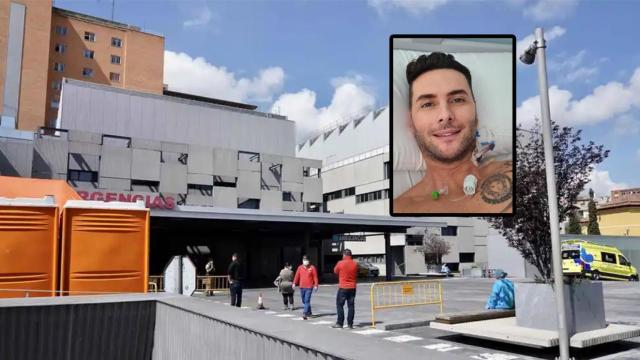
(355, 180)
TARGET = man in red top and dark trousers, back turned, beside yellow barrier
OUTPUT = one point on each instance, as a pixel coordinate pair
(347, 271)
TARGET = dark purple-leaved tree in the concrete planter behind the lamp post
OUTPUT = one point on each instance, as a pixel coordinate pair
(528, 230)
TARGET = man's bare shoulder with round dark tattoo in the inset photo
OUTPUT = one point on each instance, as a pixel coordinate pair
(496, 186)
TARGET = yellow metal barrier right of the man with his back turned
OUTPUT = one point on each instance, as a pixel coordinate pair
(385, 295)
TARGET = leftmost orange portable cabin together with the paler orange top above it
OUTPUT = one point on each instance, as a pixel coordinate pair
(29, 230)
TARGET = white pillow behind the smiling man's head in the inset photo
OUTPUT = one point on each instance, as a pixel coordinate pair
(491, 75)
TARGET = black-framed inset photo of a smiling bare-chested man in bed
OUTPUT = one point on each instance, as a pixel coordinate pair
(452, 125)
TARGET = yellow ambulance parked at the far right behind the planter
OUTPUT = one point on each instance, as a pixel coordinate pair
(583, 258)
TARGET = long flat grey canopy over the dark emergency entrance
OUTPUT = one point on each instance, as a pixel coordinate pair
(288, 221)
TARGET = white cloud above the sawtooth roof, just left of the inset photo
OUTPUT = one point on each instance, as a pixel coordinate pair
(350, 98)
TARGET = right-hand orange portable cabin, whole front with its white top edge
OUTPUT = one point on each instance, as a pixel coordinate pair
(105, 247)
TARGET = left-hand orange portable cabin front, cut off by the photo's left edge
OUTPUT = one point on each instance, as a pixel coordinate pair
(28, 247)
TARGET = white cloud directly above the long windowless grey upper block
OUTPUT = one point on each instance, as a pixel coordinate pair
(197, 76)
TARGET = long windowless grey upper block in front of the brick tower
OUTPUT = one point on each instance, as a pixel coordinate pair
(161, 118)
